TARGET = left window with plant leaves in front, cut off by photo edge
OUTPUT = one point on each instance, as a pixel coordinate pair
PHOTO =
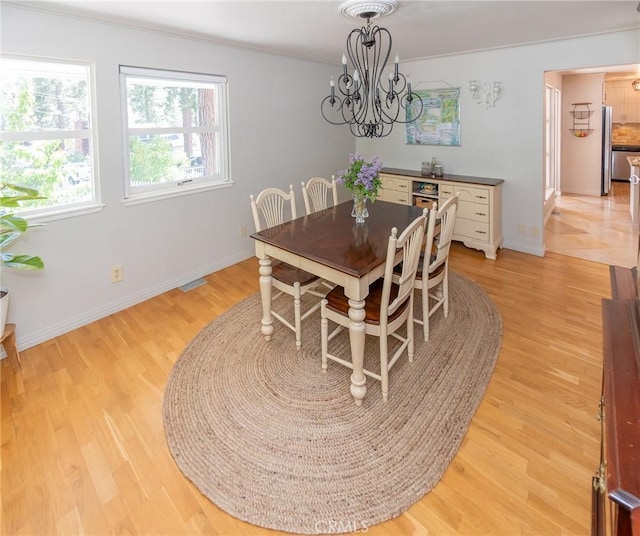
(46, 135)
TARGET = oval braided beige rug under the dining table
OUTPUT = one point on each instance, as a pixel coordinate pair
(271, 440)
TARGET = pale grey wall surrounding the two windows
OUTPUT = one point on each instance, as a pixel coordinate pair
(278, 137)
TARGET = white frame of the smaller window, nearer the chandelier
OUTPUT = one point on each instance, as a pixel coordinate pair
(141, 194)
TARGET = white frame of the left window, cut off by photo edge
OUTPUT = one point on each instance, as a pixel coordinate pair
(89, 206)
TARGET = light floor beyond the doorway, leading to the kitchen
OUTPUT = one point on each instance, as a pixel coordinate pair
(594, 228)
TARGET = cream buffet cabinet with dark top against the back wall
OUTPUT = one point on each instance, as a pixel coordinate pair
(479, 219)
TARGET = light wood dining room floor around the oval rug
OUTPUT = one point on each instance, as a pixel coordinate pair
(84, 452)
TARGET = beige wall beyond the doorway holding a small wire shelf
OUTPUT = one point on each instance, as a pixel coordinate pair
(582, 157)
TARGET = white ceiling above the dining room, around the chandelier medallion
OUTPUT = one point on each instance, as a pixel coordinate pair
(315, 30)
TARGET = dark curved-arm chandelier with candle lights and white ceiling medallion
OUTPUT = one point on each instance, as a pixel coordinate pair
(368, 99)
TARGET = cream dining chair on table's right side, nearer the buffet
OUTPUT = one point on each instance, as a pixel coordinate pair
(432, 279)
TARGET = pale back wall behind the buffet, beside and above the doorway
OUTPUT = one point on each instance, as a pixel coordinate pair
(505, 141)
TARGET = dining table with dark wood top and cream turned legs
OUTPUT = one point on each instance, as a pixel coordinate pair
(330, 244)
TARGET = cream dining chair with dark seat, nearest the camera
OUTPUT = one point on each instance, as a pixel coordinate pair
(388, 307)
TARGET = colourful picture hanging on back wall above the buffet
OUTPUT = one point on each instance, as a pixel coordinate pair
(439, 122)
